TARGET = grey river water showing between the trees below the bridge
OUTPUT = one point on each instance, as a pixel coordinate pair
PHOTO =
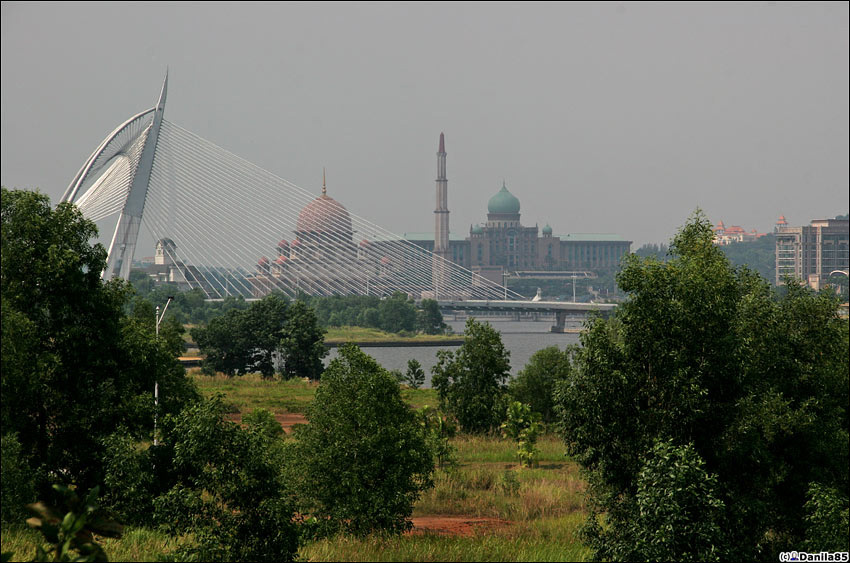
(521, 338)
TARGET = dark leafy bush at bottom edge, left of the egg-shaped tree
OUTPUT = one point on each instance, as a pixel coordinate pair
(227, 488)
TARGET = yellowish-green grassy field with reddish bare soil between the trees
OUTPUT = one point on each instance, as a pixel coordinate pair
(493, 509)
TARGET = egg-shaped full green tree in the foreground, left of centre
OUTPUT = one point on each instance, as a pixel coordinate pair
(362, 461)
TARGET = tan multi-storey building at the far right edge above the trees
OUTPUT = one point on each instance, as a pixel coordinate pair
(811, 253)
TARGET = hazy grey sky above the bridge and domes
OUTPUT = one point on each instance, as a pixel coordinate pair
(600, 117)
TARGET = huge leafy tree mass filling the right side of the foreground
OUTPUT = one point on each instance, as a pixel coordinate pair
(707, 356)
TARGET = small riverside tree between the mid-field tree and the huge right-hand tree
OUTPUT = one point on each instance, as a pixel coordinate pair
(535, 384)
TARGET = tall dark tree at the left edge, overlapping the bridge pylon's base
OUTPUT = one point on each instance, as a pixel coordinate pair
(74, 365)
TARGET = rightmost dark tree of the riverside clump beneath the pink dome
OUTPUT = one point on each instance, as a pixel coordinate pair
(302, 343)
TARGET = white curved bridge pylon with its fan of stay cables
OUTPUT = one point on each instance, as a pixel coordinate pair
(229, 227)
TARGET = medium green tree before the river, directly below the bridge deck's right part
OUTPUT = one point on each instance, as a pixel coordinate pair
(470, 381)
